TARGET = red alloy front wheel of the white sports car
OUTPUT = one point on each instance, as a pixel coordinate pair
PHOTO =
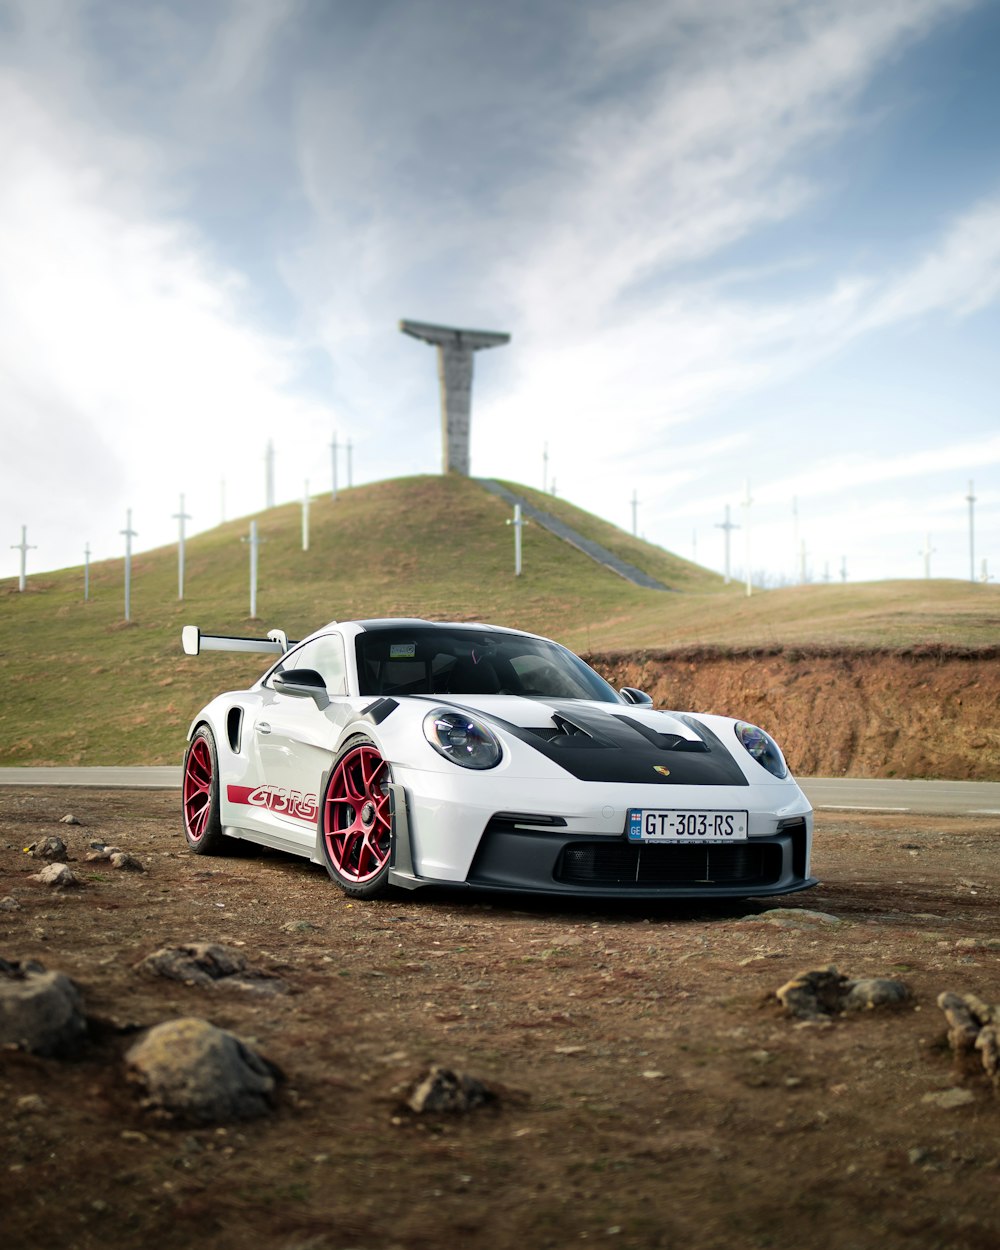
(357, 827)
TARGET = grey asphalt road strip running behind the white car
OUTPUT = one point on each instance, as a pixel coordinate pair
(831, 794)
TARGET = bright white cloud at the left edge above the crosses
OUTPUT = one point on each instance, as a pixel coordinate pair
(131, 372)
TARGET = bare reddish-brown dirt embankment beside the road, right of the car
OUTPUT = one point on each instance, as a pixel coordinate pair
(927, 712)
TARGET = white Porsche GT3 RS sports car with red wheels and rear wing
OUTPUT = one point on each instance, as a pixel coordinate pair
(406, 753)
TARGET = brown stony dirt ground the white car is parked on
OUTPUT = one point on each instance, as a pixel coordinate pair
(652, 1091)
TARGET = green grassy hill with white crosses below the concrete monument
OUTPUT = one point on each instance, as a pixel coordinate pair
(83, 687)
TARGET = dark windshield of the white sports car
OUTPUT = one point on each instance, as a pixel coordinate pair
(418, 661)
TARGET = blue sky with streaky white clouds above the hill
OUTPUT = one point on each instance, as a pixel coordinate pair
(744, 249)
